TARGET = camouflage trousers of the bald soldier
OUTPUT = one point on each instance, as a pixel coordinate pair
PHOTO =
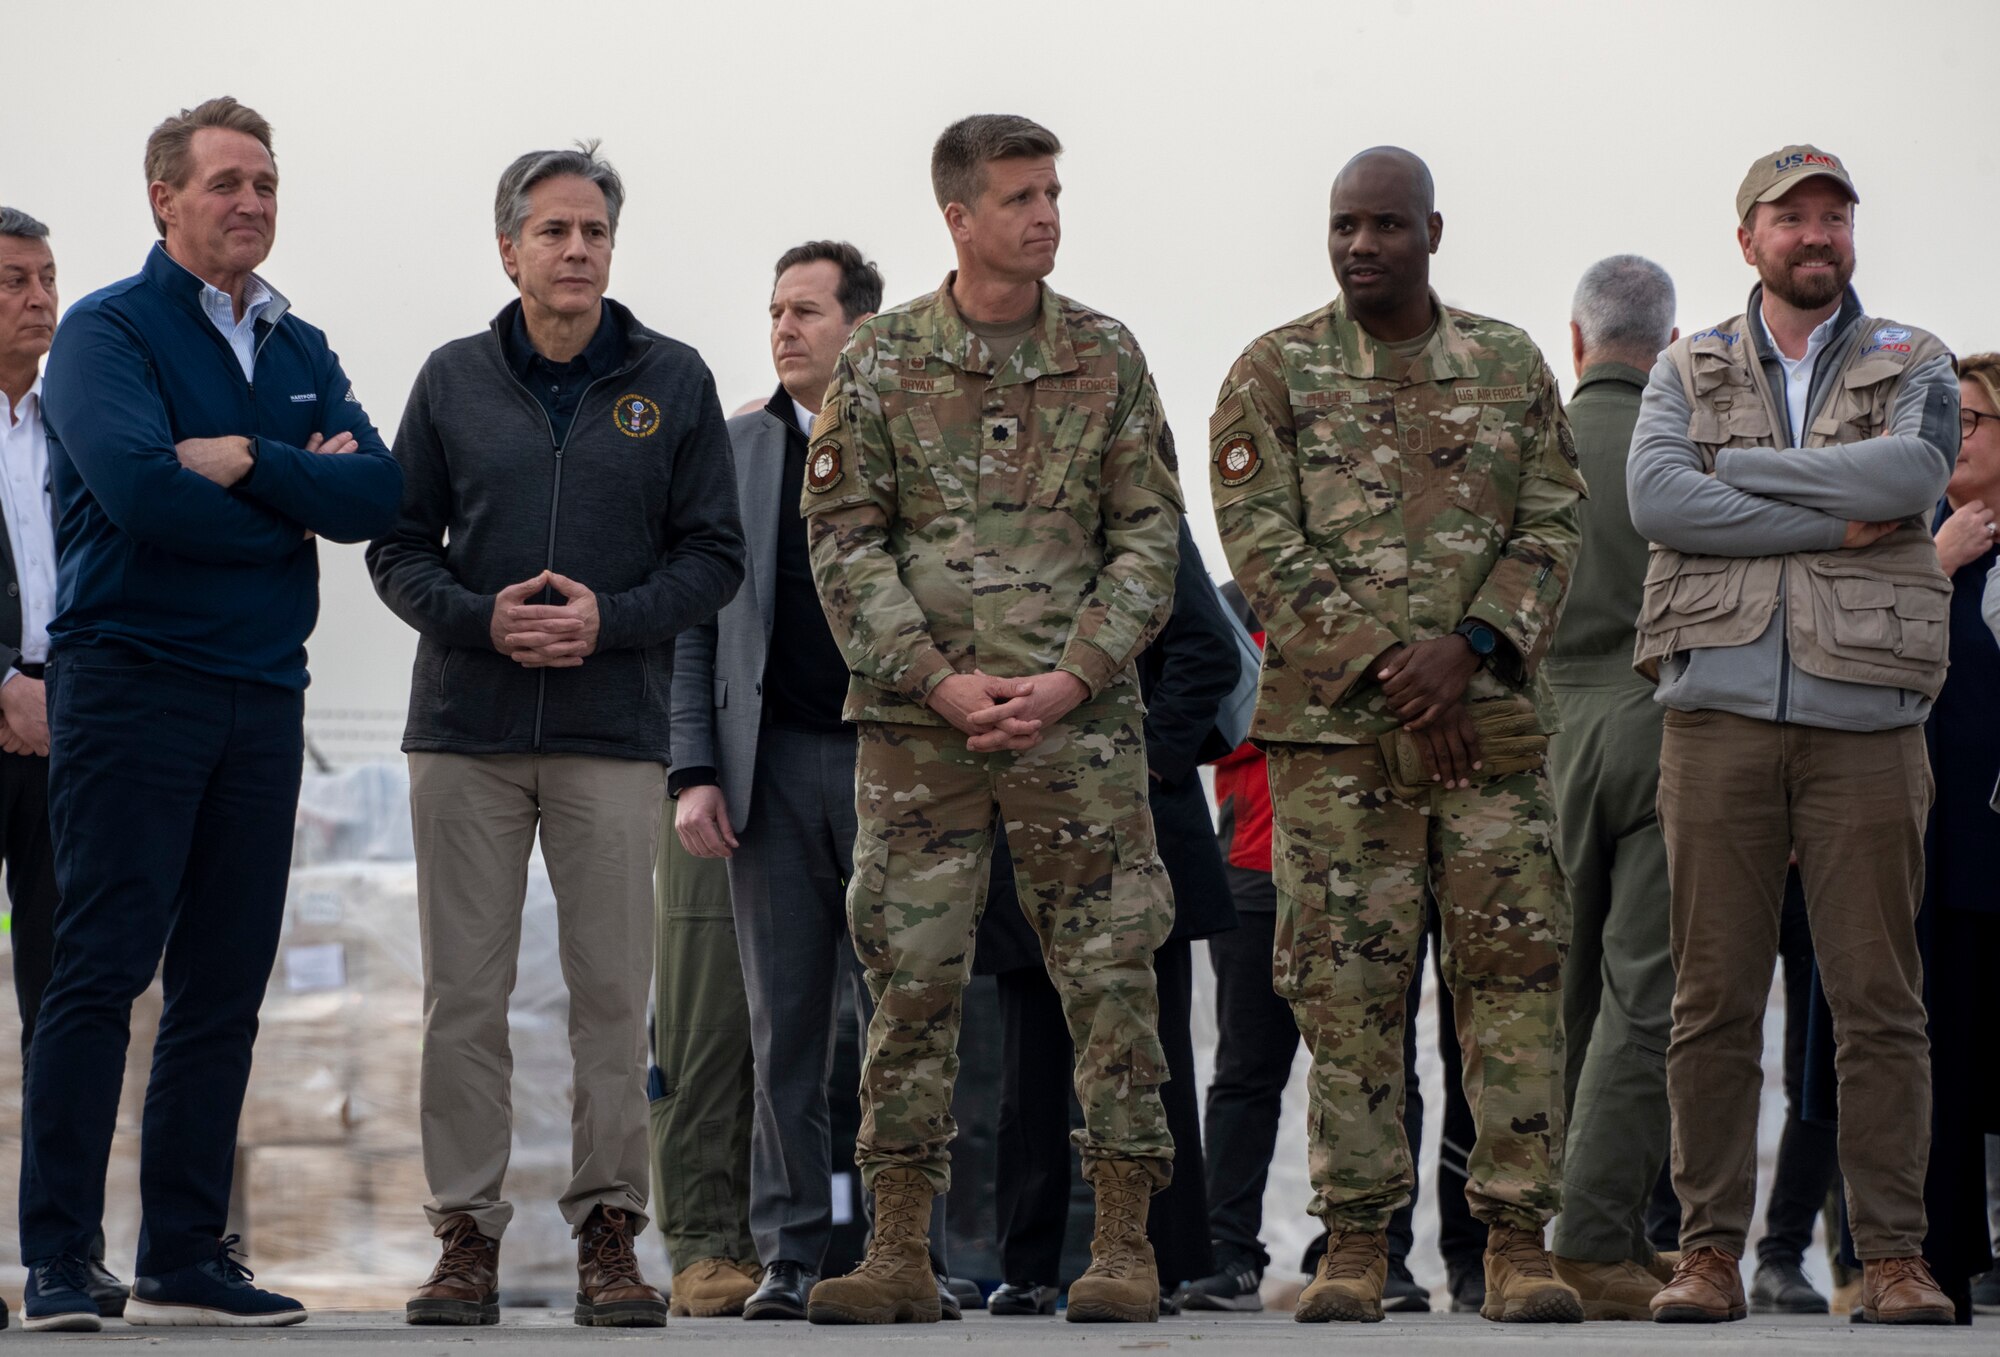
(1355, 868)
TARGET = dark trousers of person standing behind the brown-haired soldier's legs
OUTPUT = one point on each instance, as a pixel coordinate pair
(1033, 1176)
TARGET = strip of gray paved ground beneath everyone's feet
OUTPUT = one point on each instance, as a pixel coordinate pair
(339, 1334)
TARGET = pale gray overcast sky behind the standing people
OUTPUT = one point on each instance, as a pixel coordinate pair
(1201, 147)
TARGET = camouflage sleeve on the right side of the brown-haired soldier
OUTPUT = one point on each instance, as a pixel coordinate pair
(1139, 509)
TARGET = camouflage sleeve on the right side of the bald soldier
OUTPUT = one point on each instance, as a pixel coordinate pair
(1525, 589)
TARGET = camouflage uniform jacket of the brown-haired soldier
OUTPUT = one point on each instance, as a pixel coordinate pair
(1015, 521)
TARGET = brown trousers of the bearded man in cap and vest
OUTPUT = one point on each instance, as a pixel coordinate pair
(1737, 798)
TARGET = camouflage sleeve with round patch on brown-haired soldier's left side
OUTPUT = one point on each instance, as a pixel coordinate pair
(849, 503)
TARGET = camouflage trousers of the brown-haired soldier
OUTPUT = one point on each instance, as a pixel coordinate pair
(1091, 884)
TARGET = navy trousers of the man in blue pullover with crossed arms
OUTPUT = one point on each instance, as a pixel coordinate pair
(171, 800)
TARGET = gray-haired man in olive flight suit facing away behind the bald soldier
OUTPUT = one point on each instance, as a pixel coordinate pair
(1619, 980)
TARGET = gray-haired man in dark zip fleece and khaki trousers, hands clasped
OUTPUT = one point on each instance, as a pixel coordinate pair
(569, 509)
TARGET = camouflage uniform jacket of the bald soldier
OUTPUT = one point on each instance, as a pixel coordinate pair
(1365, 505)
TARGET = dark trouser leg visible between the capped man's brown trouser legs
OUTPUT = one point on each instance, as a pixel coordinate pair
(1807, 1150)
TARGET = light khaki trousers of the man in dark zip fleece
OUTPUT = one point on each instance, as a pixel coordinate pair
(475, 822)
